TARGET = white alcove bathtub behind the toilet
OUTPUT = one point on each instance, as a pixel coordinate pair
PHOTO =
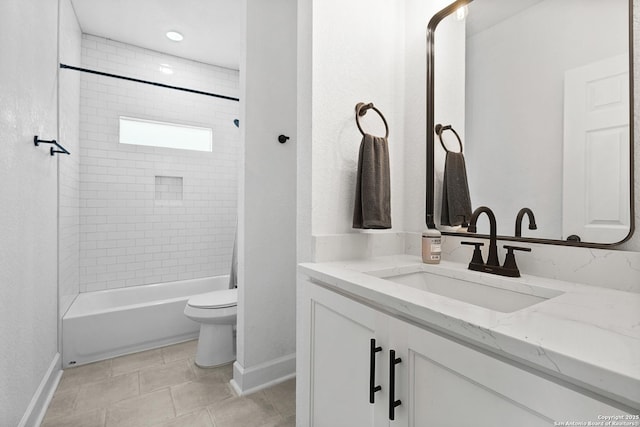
(104, 324)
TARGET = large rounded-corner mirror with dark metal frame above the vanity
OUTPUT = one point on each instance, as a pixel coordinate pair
(539, 92)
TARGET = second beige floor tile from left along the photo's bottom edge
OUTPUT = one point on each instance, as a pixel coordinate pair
(141, 411)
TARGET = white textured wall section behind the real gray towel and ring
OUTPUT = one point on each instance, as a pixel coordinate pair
(357, 56)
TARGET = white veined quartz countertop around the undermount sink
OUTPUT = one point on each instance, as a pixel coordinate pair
(587, 335)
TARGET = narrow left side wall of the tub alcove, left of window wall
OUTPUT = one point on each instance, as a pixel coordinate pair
(69, 166)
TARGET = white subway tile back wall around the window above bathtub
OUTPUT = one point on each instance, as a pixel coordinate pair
(126, 238)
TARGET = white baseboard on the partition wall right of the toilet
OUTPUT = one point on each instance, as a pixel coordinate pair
(249, 380)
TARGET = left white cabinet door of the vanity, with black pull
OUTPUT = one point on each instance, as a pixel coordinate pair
(333, 367)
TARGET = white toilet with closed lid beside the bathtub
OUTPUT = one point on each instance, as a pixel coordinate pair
(216, 312)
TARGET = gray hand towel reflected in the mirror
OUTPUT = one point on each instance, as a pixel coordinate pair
(456, 203)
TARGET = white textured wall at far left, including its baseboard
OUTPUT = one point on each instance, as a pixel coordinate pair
(28, 216)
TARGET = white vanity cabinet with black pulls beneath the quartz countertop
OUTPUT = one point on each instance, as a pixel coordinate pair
(438, 380)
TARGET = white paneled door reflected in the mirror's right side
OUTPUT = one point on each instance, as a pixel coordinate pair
(595, 203)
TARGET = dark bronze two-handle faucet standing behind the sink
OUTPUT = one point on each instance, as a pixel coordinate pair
(509, 269)
